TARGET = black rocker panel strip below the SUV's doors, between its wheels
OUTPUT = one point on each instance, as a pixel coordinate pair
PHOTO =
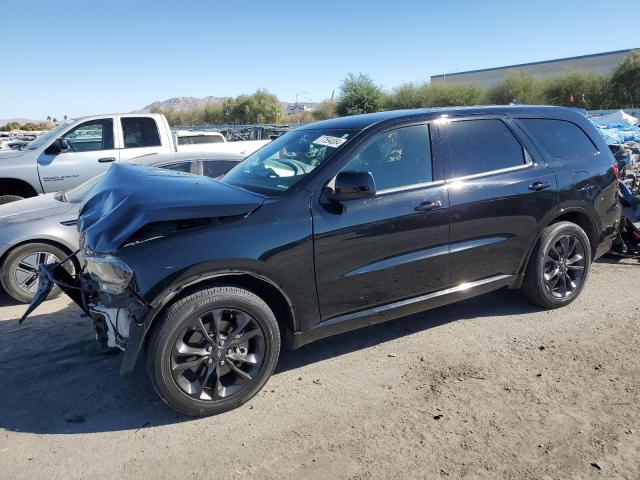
(382, 313)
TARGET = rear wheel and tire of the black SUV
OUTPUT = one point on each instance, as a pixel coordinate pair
(538, 285)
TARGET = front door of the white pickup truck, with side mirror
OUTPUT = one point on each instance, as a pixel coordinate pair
(90, 152)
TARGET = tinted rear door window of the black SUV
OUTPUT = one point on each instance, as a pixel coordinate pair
(479, 146)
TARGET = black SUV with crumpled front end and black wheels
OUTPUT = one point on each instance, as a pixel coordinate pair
(334, 226)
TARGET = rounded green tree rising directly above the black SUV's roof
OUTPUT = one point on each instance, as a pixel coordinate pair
(359, 94)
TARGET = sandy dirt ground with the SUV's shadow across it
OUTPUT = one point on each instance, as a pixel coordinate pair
(488, 388)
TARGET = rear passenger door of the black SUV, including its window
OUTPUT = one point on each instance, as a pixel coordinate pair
(500, 189)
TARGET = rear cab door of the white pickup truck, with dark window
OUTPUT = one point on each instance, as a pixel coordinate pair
(139, 136)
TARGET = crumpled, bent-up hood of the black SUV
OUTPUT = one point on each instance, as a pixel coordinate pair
(130, 196)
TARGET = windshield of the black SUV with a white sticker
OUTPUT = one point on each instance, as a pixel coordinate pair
(281, 164)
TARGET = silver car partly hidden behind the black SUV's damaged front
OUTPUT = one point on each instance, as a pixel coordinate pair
(43, 229)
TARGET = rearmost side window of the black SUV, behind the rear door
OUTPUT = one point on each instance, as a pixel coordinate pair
(560, 138)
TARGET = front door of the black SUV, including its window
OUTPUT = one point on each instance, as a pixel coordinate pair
(392, 246)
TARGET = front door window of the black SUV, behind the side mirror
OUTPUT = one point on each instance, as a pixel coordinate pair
(397, 158)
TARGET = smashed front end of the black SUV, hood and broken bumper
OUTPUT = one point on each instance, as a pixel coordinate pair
(129, 207)
